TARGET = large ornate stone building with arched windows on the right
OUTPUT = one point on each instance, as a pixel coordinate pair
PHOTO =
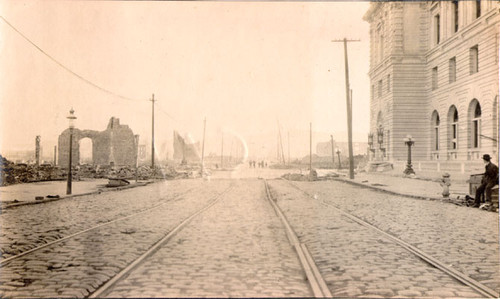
(434, 76)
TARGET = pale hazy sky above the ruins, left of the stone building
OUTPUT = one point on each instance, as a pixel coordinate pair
(242, 65)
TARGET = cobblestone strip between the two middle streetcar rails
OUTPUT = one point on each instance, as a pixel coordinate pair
(238, 248)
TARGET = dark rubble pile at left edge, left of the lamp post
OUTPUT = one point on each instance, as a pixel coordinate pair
(12, 173)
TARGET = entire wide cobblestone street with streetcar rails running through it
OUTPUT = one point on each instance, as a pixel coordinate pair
(231, 243)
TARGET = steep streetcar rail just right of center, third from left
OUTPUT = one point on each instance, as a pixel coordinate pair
(316, 281)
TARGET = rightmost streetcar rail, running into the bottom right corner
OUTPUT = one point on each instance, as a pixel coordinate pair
(470, 282)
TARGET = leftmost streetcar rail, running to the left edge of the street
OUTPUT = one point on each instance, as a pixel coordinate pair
(9, 259)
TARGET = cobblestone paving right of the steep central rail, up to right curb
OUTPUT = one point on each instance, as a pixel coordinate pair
(355, 261)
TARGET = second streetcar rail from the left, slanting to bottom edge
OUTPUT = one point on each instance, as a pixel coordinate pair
(155, 247)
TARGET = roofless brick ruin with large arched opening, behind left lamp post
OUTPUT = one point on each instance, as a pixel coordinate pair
(116, 145)
